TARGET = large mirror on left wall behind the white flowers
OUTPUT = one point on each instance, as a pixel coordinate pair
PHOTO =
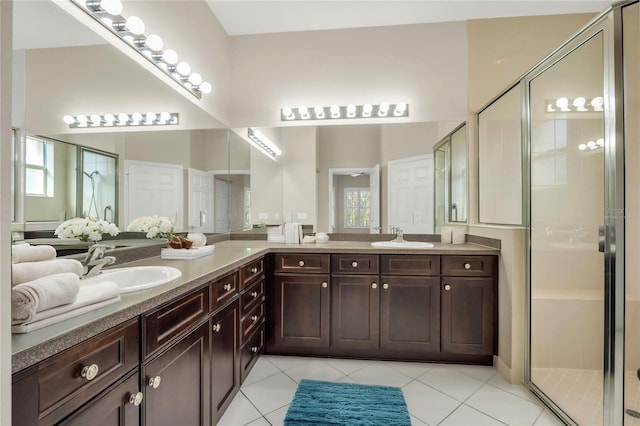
(195, 172)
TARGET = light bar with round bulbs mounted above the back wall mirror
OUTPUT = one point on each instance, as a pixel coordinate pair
(320, 112)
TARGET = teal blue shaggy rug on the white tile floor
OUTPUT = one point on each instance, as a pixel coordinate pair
(329, 403)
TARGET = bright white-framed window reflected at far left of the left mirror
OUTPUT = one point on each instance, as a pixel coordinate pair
(38, 167)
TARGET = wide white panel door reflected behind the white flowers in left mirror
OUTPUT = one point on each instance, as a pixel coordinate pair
(153, 188)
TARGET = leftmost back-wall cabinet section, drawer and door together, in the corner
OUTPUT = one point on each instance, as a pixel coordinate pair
(301, 300)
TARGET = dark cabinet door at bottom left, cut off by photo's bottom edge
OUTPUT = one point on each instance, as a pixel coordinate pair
(118, 406)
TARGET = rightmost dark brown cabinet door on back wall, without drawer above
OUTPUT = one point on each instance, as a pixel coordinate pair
(469, 323)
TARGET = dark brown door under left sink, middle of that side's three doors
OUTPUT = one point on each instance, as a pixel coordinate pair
(176, 383)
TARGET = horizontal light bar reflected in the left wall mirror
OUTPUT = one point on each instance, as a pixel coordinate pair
(122, 120)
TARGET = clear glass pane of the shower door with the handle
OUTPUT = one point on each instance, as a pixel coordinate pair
(567, 206)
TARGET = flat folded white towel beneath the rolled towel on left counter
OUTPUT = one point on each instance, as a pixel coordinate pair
(89, 295)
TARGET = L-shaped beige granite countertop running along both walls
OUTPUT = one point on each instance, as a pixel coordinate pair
(30, 348)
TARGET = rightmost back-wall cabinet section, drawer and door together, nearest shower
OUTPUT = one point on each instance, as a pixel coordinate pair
(469, 305)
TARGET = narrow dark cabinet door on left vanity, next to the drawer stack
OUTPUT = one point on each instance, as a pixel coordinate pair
(225, 358)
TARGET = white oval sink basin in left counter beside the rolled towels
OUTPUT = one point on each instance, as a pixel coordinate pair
(136, 278)
